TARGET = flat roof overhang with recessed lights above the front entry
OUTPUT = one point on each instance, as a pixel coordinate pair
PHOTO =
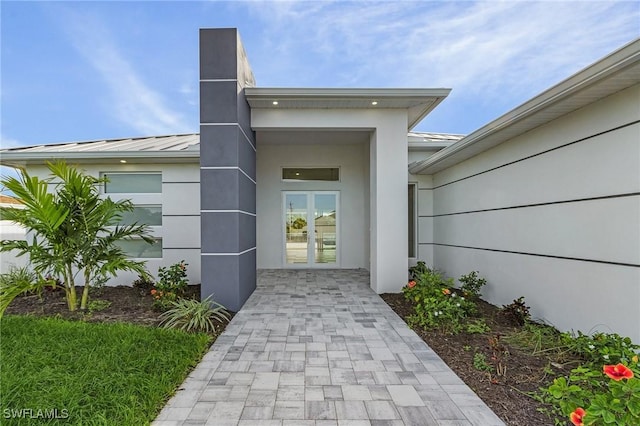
(417, 102)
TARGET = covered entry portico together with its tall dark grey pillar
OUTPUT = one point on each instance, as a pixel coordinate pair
(248, 135)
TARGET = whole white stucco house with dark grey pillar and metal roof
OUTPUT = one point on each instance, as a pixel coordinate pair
(543, 201)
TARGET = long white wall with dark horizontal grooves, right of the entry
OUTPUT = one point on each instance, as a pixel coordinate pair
(561, 227)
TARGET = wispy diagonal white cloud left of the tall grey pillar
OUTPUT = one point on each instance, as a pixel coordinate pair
(130, 100)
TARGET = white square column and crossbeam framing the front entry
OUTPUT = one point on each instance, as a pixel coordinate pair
(388, 178)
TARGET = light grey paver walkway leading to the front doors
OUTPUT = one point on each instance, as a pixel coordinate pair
(320, 348)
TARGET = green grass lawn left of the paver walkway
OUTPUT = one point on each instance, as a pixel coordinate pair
(94, 374)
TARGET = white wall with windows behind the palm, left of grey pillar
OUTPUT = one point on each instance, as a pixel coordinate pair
(180, 200)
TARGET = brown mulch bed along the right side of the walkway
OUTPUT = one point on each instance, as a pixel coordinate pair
(505, 395)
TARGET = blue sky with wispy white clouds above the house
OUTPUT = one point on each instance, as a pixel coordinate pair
(74, 71)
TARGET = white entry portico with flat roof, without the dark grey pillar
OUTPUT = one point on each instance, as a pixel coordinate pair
(362, 134)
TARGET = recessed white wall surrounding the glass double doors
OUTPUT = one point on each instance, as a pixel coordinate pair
(352, 221)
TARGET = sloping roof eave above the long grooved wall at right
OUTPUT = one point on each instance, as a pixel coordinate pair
(621, 60)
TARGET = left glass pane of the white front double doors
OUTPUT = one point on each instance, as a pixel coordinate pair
(296, 236)
